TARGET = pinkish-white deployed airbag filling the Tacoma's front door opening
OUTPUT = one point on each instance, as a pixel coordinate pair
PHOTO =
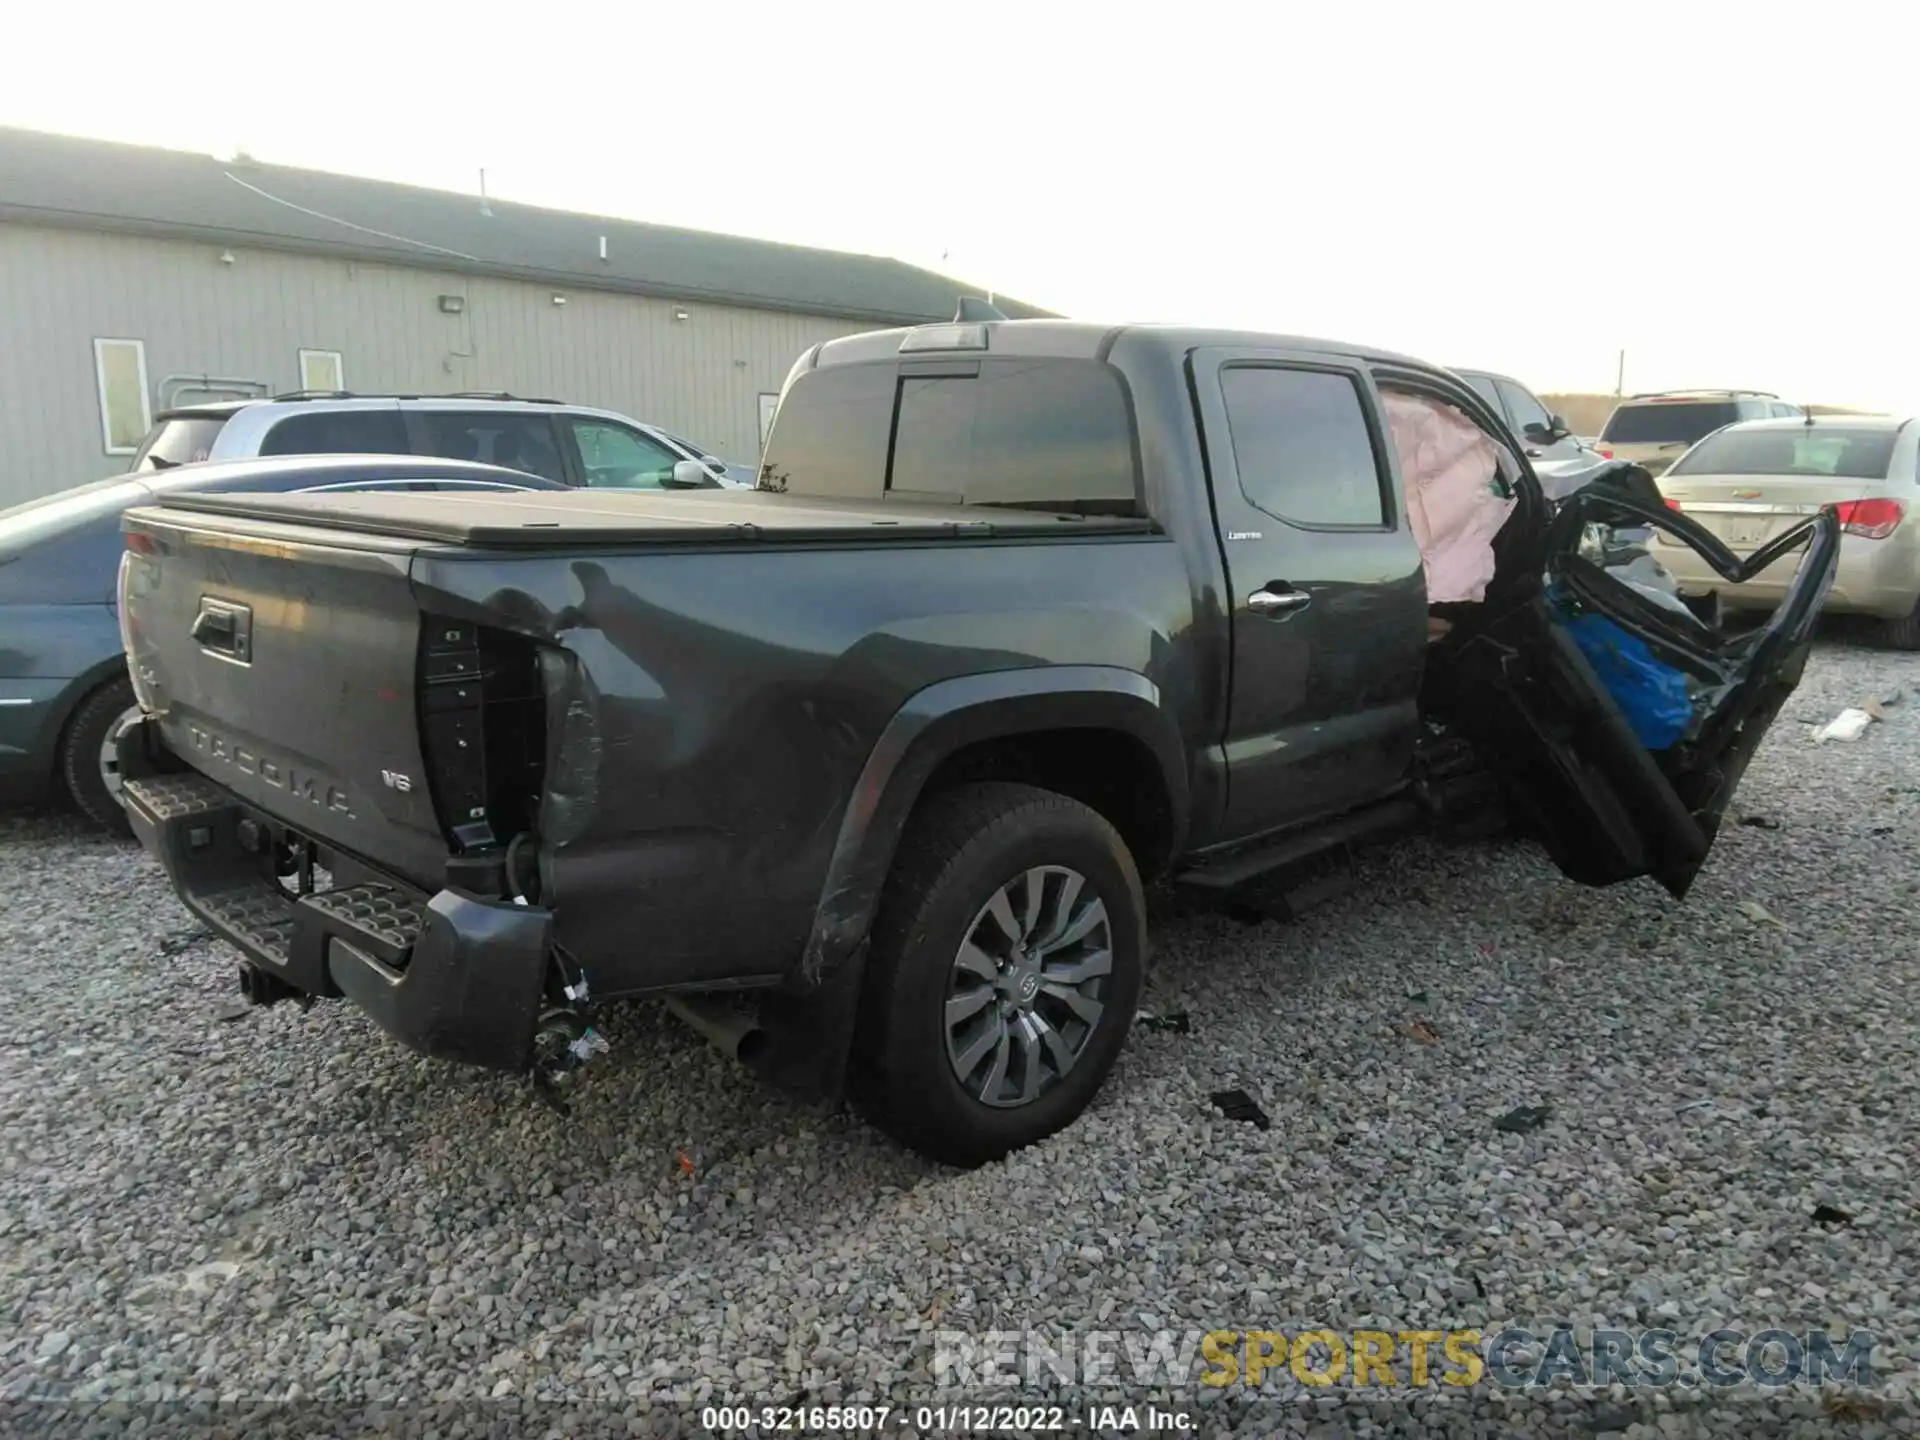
(1456, 508)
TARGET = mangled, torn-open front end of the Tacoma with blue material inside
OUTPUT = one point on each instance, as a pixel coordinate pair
(1620, 723)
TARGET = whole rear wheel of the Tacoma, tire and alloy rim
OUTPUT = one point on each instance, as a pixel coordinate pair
(1003, 972)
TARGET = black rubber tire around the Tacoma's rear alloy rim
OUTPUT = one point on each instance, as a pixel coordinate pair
(961, 852)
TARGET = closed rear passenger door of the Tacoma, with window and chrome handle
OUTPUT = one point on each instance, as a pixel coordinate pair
(1328, 600)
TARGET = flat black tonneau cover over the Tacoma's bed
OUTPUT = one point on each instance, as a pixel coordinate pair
(636, 517)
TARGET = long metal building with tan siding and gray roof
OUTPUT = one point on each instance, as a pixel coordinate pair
(133, 279)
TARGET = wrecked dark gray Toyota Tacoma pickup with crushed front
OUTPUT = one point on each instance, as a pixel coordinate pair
(867, 769)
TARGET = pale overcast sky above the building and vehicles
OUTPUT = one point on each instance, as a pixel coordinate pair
(1719, 191)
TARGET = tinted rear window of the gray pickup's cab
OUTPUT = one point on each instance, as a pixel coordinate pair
(1022, 433)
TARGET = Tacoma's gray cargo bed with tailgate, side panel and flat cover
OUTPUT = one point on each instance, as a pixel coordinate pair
(669, 690)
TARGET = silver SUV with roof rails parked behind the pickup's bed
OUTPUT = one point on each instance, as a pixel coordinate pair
(571, 444)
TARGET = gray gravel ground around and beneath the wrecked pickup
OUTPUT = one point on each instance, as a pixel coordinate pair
(281, 1207)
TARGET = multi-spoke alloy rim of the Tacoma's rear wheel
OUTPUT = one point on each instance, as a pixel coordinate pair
(1028, 986)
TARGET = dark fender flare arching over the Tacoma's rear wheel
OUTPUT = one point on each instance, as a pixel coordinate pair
(934, 725)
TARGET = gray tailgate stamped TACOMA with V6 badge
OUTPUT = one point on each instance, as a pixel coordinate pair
(281, 663)
